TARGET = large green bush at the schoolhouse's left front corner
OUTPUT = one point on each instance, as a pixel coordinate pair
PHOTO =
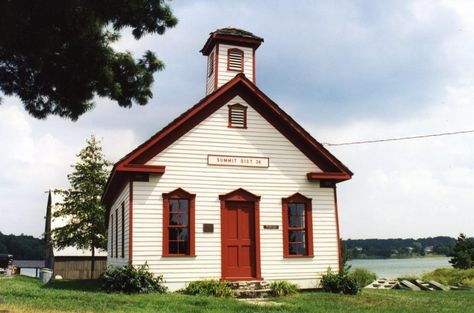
(130, 279)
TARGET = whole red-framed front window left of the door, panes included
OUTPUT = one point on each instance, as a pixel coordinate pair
(178, 223)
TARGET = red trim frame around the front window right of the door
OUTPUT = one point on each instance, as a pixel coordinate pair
(298, 198)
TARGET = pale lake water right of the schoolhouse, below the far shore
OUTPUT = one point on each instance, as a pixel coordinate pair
(393, 268)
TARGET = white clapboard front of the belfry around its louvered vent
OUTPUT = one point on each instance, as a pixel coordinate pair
(223, 75)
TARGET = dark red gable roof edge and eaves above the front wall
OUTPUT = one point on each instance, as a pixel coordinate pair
(135, 161)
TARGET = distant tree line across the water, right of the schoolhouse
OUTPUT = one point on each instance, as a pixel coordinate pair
(398, 248)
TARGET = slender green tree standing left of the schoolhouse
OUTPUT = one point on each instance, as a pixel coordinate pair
(81, 206)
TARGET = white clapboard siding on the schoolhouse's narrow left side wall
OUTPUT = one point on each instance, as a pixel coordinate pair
(117, 207)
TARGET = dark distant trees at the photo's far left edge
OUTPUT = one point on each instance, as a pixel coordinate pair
(22, 247)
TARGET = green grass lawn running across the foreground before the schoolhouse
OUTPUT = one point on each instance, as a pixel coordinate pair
(24, 294)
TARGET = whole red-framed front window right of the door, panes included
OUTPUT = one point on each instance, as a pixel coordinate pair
(297, 226)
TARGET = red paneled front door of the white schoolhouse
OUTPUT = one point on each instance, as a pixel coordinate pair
(238, 240)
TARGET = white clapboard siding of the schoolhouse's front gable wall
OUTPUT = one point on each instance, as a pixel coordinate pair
(187, 168)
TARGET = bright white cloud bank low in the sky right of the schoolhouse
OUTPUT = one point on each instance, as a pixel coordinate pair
(413, 188)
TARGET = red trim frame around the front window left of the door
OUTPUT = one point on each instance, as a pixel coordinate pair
(178, 194)
